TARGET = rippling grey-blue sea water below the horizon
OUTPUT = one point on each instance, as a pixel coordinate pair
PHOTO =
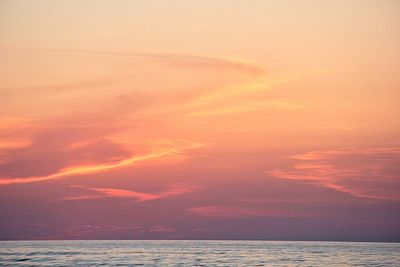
(197, 253)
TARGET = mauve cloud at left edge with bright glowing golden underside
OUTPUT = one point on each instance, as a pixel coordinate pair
(73, 149)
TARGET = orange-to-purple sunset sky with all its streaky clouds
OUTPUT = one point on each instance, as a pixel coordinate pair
(144, 119)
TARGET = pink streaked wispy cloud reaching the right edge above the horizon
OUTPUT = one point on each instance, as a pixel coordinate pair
(369, 172)
